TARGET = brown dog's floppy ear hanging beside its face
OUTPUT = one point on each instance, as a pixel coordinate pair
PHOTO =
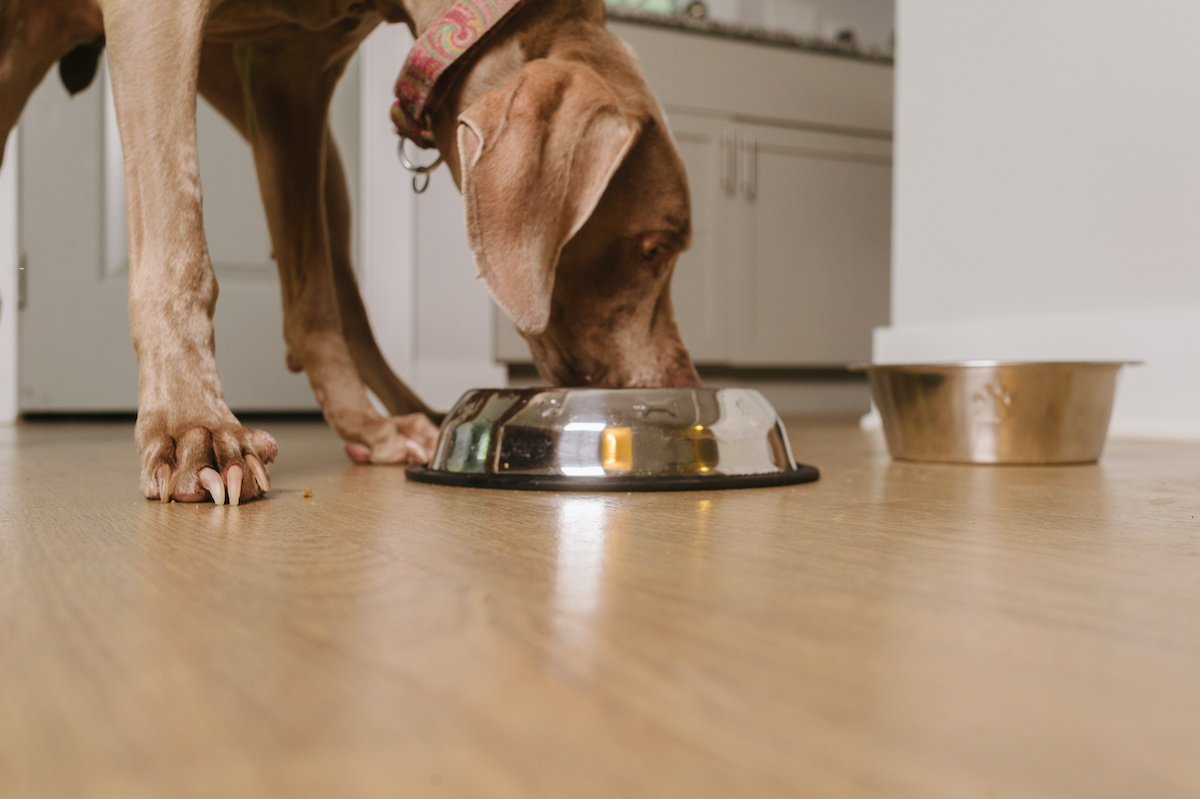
(537, 155)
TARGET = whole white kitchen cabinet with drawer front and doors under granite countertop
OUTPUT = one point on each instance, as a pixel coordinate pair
(789, 159)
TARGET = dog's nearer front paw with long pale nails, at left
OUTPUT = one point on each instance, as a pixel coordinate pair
(193, 465)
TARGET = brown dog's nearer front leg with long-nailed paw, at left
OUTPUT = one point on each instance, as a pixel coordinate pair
(191, 444)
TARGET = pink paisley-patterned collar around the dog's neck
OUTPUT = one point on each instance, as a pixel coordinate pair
(434, 64)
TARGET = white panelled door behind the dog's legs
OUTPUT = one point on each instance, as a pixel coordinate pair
(76, 355)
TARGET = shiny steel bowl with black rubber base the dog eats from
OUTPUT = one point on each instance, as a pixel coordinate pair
(614, 440)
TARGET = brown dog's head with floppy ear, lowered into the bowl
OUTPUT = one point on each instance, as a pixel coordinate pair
(578, 209)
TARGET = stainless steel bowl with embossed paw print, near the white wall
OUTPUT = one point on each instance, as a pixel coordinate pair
(995, 412)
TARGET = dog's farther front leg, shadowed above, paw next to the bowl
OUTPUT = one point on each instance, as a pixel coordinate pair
(289, 85)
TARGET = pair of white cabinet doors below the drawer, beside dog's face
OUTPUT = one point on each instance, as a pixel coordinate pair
(791, 256)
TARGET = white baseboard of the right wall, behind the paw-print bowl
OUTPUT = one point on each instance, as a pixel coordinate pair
(1159, 400)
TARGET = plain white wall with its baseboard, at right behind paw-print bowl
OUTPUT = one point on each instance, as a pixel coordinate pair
(1048, 193)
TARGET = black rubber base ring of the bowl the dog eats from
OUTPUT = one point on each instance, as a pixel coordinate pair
(663, 483)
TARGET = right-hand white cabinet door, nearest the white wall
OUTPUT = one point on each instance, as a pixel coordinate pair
(814, 281)
